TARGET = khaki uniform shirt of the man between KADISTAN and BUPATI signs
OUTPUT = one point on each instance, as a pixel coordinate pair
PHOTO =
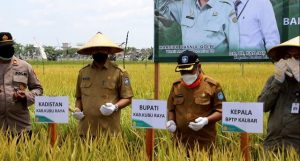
(95, 87)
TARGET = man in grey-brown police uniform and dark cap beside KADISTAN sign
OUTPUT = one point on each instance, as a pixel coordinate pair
(15, 77)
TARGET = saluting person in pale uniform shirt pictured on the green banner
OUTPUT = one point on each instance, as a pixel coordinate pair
(210, 23)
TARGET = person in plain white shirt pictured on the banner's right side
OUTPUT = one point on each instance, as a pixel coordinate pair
(257, 24)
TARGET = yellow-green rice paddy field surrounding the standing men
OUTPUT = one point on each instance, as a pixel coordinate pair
(240, 82)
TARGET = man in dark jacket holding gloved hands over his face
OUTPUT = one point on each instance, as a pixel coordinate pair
(281, 97)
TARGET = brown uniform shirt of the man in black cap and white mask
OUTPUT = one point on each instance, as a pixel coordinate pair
(189, 104)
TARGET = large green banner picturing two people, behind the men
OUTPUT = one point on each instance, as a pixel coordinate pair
(222, 31)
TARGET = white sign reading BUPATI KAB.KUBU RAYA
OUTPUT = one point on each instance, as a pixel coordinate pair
(149, 114)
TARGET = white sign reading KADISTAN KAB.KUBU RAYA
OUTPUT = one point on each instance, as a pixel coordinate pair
(52, 109)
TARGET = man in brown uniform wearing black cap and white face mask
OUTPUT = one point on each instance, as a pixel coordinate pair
(194, 104)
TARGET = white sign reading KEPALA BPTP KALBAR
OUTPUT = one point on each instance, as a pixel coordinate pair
(242, 117)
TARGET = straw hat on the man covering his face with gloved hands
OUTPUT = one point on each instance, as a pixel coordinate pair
(278, 52)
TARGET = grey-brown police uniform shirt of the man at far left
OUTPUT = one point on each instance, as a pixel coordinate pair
(18, 75)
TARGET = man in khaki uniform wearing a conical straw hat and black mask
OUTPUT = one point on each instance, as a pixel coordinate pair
(102, 90)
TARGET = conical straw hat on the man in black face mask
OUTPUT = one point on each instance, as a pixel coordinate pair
(99, 44)
